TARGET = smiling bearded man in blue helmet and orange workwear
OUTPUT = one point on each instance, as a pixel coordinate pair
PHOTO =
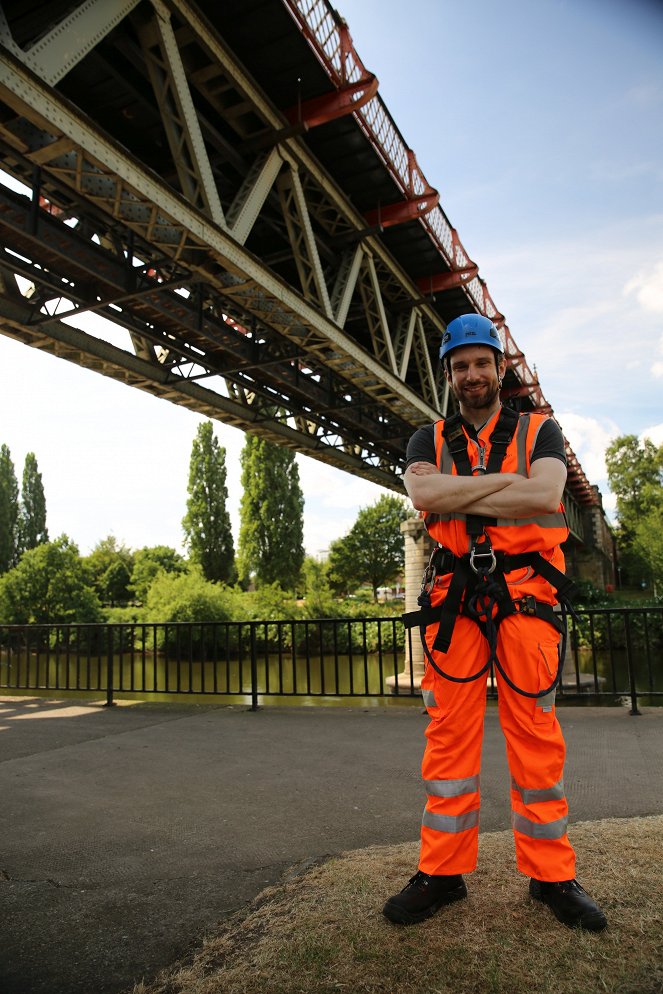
(490, 485)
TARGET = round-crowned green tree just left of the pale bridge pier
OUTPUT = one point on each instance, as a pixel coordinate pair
(373, 550)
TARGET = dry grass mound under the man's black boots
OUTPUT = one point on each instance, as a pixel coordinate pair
(324, 933)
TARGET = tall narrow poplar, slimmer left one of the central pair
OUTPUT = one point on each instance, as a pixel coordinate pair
(206, 524)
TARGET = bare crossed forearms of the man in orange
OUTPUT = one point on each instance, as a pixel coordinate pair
(501, 495)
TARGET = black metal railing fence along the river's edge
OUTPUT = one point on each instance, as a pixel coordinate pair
(613, 655)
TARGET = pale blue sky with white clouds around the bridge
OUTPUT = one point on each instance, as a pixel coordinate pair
(540, 122)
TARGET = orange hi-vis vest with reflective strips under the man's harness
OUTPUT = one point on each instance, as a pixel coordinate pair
(542, 533)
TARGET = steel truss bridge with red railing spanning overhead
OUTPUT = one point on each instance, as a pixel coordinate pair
(223, 182)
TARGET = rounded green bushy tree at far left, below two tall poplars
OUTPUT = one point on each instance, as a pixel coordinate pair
(48, 585)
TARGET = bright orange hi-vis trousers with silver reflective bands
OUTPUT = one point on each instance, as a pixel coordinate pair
(527, 650)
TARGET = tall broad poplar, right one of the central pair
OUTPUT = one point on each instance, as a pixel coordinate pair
(271, 536)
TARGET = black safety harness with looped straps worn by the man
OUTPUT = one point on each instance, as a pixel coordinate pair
(478, 587)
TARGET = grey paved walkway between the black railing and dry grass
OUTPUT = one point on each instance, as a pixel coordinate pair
(126, 834)
